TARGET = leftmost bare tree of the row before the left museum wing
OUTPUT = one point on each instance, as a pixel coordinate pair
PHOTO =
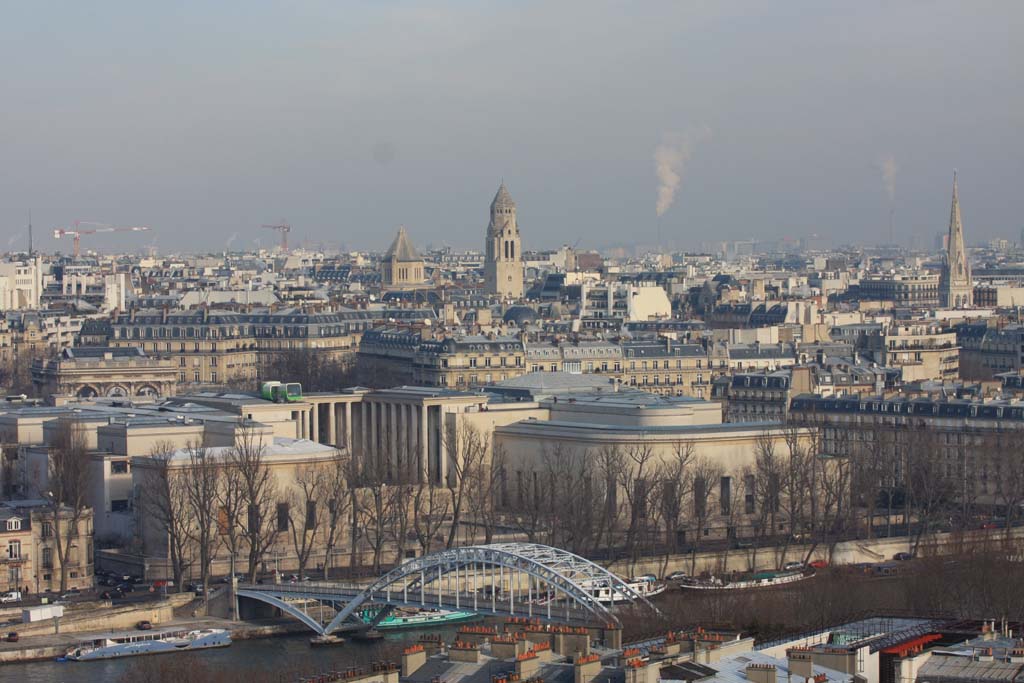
(165, 500)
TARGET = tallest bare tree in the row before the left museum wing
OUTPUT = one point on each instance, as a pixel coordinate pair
(259, 495)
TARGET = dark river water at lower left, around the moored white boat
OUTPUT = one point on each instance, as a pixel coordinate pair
(287, 654)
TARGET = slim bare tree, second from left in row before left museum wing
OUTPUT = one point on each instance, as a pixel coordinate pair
(202, 483)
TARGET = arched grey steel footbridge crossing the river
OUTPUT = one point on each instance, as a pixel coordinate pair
(504, 579)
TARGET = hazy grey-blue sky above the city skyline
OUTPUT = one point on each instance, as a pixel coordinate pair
(206, 119)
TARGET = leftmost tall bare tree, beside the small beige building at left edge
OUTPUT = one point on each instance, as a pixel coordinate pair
(66, 489)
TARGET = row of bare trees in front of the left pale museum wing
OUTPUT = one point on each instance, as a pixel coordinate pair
(203, 501)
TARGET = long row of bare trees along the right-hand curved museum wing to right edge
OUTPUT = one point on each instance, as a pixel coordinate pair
(631, 501)
